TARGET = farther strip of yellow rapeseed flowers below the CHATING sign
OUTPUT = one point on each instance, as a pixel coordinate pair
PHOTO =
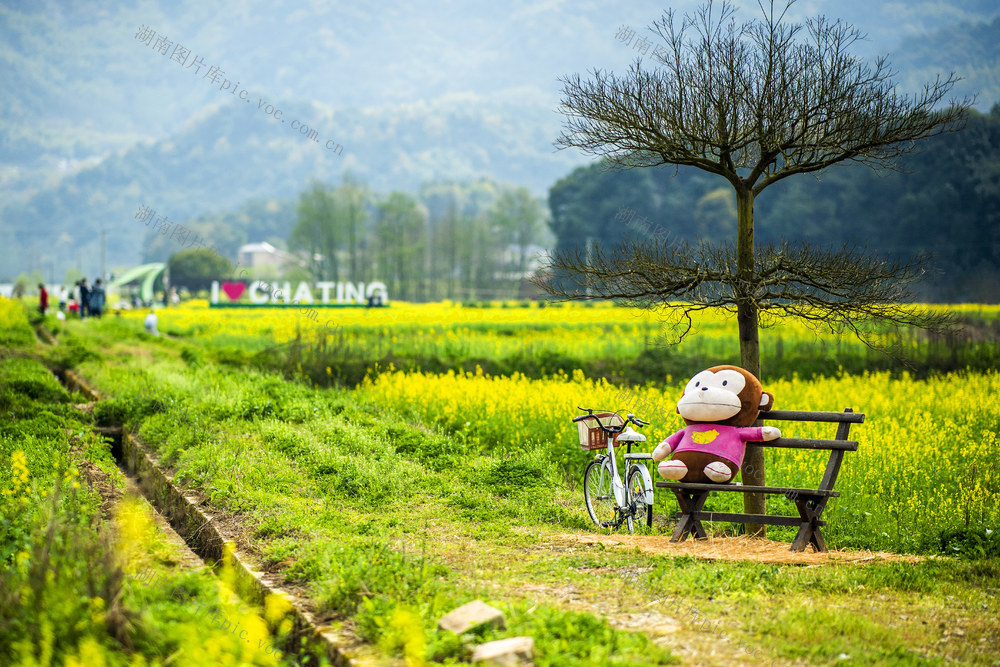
(625, 344)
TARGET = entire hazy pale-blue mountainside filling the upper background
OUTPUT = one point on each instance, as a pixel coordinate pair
(97, 122)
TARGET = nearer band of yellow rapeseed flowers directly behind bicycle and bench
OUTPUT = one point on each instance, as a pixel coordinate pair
(924, 462)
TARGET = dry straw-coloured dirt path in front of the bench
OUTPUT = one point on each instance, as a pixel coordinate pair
(630, 607)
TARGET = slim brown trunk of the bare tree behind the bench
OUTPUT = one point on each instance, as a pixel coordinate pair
(746, 317)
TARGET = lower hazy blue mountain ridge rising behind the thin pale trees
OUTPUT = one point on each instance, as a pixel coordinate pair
(232, 154)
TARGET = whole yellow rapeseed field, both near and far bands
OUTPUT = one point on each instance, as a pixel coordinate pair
(926, 447)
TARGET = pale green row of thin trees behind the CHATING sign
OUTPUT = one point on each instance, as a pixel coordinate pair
(460, 241)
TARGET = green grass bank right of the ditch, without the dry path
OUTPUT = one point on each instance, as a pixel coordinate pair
(322, 488)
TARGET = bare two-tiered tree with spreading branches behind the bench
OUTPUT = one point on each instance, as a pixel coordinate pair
(754, 102)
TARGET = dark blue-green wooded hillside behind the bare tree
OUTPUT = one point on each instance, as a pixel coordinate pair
(943, 202)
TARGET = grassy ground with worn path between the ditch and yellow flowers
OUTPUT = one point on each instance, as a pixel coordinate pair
(387, 523)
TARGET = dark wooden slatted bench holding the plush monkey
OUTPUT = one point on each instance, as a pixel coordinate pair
(810, 502)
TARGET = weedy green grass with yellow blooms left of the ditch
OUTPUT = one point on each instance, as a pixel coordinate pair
(68, 595)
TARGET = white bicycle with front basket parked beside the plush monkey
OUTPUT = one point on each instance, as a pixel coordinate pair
(609, 501)
